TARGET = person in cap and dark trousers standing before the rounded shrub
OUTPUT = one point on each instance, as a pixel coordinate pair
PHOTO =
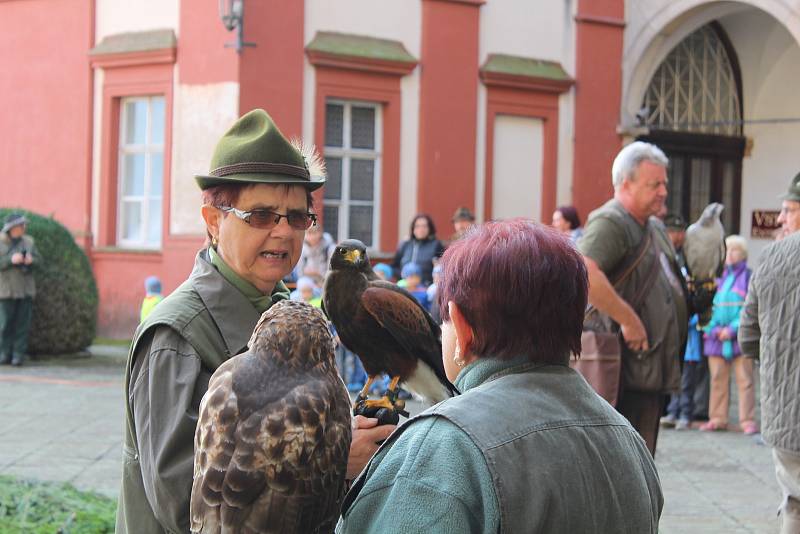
(18, 255)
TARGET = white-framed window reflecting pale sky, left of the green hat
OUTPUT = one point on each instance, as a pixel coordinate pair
(141, 172)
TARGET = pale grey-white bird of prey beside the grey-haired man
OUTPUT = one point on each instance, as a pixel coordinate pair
(704, 250)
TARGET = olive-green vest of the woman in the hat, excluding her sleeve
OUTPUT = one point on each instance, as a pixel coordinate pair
(216, 320)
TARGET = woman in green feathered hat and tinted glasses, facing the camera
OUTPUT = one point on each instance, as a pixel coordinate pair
(257, 206)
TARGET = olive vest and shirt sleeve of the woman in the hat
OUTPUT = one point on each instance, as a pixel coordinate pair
(173, 355)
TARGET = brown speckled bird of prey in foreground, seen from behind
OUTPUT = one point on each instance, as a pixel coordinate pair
(274, 432)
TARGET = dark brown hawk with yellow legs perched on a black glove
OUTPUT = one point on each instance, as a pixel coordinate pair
(386, 327)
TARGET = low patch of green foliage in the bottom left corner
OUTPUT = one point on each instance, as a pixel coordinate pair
(45, 508)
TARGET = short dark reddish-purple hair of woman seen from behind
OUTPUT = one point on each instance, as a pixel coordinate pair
(521, 286)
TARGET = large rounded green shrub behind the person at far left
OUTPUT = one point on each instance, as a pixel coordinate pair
(65, 307)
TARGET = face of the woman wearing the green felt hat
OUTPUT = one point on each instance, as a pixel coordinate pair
(262, 257)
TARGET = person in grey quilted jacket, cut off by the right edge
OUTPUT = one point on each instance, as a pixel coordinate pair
(769, 330)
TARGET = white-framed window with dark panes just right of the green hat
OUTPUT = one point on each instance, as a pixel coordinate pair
(352, 157)
